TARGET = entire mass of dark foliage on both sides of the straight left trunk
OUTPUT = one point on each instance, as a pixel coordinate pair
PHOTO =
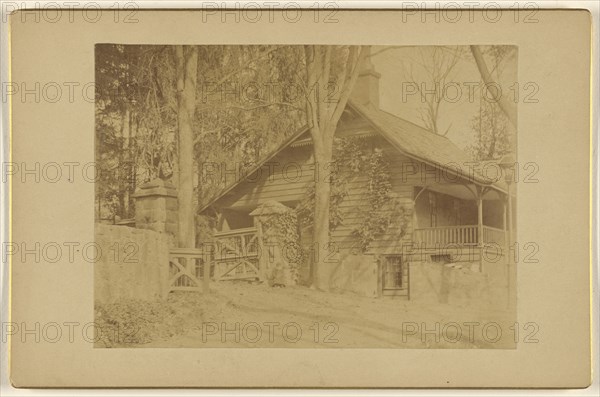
(136, 114)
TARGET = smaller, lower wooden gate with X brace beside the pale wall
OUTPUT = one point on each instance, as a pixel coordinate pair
(189, 270)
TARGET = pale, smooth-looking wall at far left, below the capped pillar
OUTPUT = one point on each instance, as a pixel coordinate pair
(131, 263)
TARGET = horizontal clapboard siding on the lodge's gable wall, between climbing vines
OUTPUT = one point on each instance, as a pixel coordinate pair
(291, 188)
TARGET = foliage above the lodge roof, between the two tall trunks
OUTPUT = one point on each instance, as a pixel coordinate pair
(246, 110)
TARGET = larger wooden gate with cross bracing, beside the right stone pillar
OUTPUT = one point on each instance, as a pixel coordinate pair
(236, 255)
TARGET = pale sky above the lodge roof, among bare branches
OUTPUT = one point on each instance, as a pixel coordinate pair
(459, 106)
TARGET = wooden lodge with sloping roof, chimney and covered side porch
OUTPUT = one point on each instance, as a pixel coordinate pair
(455, 210)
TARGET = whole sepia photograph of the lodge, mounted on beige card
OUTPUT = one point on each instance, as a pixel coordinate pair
(306, 196)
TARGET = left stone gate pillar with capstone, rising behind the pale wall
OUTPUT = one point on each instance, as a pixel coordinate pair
(156, 207)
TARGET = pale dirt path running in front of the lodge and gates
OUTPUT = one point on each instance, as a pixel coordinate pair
(245, 315)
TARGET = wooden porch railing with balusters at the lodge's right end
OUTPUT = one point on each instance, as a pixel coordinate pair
(463, 235)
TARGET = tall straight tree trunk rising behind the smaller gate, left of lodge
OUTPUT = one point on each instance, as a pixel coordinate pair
(187, 63)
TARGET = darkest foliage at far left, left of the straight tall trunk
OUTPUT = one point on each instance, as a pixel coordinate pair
(134, 124)
